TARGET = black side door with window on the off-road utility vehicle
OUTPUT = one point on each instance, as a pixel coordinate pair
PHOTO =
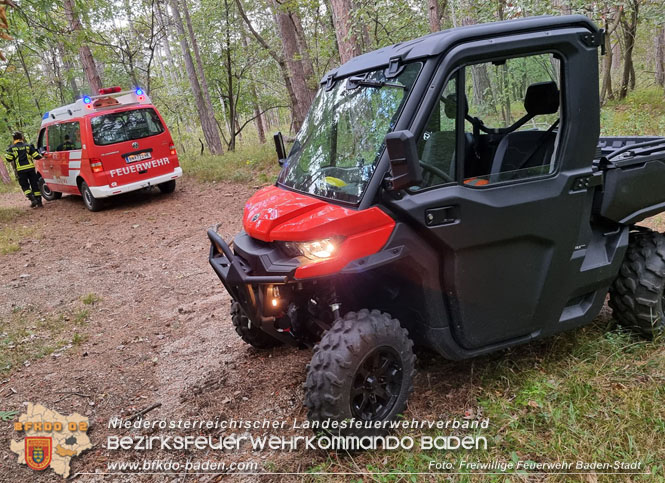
(497, 200)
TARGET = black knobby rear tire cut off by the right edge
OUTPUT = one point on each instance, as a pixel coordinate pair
(636, 296)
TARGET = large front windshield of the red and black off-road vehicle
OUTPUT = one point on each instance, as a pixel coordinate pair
(338, 146)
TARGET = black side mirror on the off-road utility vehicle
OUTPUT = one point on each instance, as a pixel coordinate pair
(405, 167)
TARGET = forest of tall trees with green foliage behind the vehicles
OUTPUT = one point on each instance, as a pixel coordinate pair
(230, 72)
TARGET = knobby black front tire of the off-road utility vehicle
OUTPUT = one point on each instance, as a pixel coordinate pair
(335, 371)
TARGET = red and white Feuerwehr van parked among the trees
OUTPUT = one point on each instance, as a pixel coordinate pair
(105, 145)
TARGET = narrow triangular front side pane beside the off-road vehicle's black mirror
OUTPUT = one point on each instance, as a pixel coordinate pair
(436, 146)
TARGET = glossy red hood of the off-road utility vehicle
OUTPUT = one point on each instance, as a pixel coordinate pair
(275, 214)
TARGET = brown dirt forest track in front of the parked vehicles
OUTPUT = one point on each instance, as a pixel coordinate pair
(145, 321)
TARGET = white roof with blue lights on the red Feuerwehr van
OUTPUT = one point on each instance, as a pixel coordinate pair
(108, 98)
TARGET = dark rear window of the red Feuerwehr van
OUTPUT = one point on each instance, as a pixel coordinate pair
(123, 126)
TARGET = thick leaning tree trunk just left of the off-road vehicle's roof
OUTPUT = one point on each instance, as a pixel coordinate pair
(303, 93)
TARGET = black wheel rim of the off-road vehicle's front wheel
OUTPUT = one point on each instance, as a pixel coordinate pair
(377, 385)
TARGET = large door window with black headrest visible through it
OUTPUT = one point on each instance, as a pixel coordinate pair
(513, 120)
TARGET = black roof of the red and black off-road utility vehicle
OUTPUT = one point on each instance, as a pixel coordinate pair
(438, 42)
